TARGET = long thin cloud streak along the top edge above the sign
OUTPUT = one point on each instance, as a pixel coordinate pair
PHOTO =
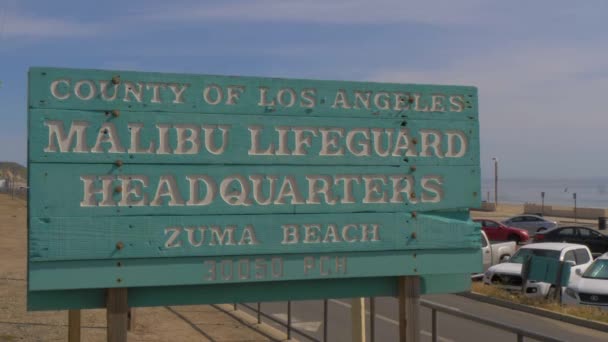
(325, 11)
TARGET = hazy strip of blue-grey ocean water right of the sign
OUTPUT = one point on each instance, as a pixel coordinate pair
(590, 193)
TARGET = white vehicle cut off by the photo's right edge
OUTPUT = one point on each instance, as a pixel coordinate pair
(592, 287)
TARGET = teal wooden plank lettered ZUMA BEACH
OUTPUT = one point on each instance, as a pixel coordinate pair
(87, 238)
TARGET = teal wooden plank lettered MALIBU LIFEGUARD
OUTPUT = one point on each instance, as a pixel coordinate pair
(68, 136)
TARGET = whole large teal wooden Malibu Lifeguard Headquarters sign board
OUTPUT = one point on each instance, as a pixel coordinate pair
(195, 184)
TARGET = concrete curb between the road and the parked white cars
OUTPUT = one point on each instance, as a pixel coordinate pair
(536, 311)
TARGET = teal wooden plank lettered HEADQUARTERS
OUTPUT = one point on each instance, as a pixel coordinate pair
(57, 190)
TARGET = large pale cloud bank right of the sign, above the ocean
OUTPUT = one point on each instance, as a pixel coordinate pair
(542, 108)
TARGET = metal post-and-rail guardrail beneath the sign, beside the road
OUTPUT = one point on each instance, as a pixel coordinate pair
(519, 333)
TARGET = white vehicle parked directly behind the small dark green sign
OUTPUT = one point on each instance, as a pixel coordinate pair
(508, 275)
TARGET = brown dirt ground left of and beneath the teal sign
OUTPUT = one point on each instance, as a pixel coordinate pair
(175, 324)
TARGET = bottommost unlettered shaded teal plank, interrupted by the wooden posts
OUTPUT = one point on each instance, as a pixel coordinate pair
(243, 292)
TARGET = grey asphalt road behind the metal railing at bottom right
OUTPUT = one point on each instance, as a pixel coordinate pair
(307, 316)
